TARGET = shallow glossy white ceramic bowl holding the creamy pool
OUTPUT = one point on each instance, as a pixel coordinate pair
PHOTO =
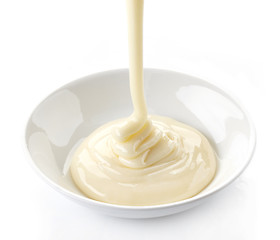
(71, 113)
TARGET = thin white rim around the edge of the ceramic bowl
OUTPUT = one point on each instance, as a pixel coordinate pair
(72, 195)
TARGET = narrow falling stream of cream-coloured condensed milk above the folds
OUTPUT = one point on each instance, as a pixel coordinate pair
(135, 41)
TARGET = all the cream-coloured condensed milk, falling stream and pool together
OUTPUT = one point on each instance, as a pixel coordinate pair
(142, 160)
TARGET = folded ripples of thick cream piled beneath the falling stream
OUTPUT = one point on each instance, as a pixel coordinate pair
(154, 143)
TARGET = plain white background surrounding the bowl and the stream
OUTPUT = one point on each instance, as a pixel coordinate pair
(46, 44)
